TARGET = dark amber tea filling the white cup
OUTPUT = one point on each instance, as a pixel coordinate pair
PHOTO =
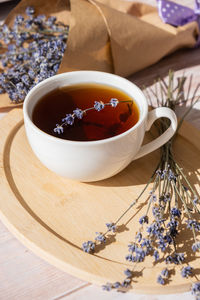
(95, 125)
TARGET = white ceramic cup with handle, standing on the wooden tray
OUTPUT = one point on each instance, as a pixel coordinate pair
(94, 160)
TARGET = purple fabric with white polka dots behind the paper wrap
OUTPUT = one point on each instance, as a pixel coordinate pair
(179, 15)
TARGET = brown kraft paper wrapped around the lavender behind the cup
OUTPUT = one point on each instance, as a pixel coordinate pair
(115, 36)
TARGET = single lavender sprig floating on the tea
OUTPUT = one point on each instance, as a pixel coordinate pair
(79, 113)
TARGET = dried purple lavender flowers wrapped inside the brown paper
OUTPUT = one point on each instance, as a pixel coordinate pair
(31, 51)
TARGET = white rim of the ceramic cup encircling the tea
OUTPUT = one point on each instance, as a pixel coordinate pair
(84, 143)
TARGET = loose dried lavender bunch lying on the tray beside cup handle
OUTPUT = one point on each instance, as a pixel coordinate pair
(172, 197)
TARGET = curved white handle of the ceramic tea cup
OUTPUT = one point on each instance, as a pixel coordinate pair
(161, 140)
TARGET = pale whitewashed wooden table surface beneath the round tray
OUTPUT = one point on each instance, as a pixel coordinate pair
(25, 276)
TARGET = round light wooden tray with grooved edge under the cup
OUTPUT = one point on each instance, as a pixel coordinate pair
(53, 216)
